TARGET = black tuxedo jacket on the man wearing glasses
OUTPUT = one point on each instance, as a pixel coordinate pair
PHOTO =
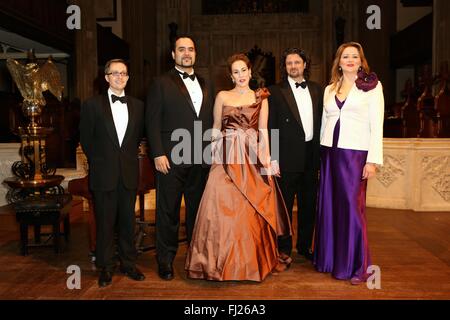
(107, 159)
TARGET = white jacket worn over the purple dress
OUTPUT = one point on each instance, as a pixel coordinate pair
(361, 118)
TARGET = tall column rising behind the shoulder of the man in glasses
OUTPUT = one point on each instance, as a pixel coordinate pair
(85, 51)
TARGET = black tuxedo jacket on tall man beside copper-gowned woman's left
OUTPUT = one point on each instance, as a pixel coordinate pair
(169, 107)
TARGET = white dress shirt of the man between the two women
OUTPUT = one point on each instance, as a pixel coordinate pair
(304, 105)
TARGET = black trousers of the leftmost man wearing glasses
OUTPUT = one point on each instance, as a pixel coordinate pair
(114, 211)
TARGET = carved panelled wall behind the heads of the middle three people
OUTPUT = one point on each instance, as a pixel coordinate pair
(219, 36)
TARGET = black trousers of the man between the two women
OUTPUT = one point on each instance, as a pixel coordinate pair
(302, 185)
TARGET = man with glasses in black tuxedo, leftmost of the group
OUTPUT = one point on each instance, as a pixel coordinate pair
(111, 127)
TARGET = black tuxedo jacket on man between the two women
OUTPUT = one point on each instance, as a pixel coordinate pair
(284, 115)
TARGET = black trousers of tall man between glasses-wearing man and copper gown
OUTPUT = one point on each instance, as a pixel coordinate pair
(187, 181)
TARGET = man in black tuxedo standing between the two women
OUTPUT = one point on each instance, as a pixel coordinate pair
(295, 109)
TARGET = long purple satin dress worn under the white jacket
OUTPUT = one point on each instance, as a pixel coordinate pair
(340, 244)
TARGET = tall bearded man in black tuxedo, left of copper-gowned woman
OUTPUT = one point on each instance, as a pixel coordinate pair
(179, 104)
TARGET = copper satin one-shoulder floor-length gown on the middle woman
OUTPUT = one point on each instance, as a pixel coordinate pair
(241, 212)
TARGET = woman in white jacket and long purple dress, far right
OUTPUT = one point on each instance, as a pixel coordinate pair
(351, 148)
